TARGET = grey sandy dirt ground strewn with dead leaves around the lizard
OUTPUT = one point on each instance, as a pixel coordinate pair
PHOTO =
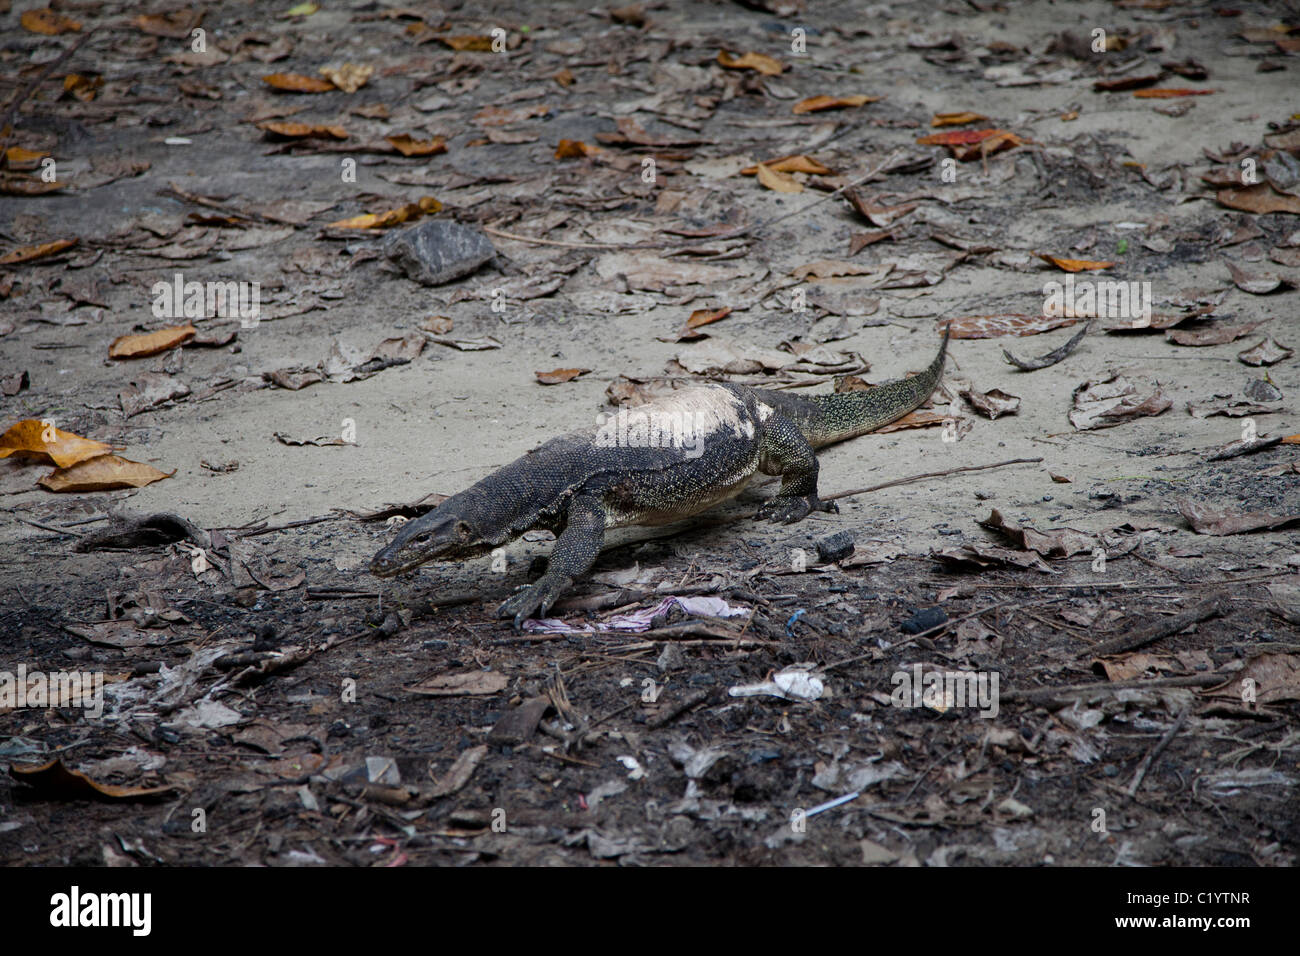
(310, 713)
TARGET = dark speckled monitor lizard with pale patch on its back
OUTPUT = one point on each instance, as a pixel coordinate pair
(583, 483)
